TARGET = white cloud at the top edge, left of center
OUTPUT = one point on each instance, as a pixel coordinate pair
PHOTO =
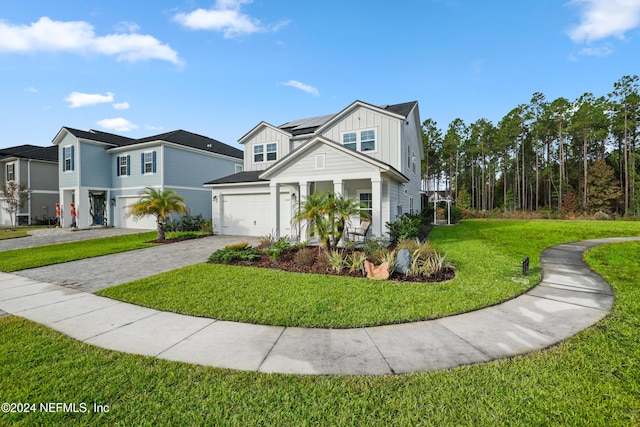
(225, 17)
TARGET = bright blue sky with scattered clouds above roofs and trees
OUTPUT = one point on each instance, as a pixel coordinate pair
(218, 68)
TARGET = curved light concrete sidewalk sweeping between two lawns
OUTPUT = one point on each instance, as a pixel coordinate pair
(570, 298)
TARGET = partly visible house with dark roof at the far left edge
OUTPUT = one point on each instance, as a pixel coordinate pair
(37, 168)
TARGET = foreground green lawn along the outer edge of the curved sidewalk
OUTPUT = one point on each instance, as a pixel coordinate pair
(591, 379)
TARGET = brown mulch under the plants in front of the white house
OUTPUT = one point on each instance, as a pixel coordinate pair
(286, 262)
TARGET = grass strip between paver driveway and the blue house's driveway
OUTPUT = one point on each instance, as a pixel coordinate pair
(21, 259)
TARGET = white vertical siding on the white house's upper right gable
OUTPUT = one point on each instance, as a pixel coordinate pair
(387, 132)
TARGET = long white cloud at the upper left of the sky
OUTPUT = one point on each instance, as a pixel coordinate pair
(79, 37)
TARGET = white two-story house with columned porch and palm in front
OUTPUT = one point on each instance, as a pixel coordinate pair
(365, 152)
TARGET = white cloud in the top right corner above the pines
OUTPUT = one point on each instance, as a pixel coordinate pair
(601, 19)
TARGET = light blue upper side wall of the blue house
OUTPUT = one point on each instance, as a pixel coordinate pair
(190, 169)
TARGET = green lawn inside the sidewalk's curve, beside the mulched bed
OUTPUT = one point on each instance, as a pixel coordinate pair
(487, 254)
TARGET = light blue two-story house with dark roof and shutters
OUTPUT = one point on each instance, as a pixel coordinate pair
(103, 174)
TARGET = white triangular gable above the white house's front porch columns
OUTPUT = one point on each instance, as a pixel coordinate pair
(336, 164)
